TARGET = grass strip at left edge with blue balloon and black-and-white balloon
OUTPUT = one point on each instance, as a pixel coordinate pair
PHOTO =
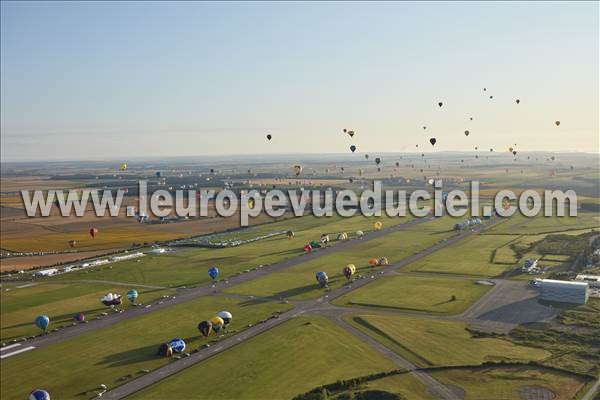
(20, 306)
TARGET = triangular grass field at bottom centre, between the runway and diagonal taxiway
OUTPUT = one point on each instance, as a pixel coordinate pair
(288, 360)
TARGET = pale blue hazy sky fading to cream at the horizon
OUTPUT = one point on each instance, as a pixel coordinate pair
(117, 80)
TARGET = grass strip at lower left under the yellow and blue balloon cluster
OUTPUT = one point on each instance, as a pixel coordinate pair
(103, 356)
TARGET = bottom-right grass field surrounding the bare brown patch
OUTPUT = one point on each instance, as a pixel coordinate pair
(496, 383)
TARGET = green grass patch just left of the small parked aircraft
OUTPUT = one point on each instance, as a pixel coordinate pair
(472, 256)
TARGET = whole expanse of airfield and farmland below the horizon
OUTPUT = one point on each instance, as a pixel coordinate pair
(450, 311)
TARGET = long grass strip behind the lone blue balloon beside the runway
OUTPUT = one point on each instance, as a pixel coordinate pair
(190, 266)
